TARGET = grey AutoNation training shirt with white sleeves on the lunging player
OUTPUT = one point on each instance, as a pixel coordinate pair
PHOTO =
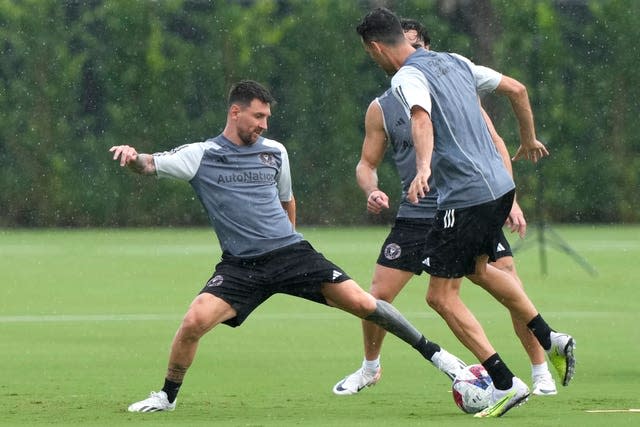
(241, 188)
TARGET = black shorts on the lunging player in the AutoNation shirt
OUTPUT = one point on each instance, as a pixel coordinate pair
(245, 283)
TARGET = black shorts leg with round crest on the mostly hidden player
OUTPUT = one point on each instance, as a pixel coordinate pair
(403, 249)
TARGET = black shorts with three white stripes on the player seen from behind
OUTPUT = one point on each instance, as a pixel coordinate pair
(459, 236)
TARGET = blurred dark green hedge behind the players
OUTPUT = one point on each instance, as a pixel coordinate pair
(80, 76)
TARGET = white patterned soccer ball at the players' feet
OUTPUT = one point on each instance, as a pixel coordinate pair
(472, 389)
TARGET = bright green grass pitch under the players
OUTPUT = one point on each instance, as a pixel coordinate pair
(87, 316)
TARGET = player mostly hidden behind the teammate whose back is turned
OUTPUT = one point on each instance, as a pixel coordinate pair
(401, 253)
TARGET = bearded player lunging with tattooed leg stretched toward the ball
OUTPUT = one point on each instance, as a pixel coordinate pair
(243, 181)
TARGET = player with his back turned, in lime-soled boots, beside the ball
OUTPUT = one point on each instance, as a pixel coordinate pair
(475, 195)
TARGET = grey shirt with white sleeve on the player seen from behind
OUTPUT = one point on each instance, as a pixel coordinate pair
(466, 166)
